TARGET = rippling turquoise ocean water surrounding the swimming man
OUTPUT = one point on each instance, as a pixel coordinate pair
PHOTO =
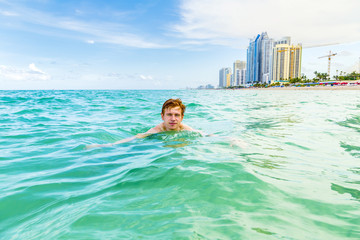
(297, 176)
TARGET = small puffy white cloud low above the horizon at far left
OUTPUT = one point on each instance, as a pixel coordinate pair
(31, 74)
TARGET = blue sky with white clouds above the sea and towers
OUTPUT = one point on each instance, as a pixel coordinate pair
(162, 44)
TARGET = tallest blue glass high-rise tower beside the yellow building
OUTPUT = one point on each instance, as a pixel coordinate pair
(259, 57)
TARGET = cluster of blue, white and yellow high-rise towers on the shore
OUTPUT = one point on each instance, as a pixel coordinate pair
(267, 61)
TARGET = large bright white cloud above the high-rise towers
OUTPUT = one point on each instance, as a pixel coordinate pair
(306, 21)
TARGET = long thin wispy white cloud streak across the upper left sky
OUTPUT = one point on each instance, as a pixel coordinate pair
(99, 31)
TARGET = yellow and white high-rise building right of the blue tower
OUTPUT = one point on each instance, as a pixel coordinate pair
(286, 62)
